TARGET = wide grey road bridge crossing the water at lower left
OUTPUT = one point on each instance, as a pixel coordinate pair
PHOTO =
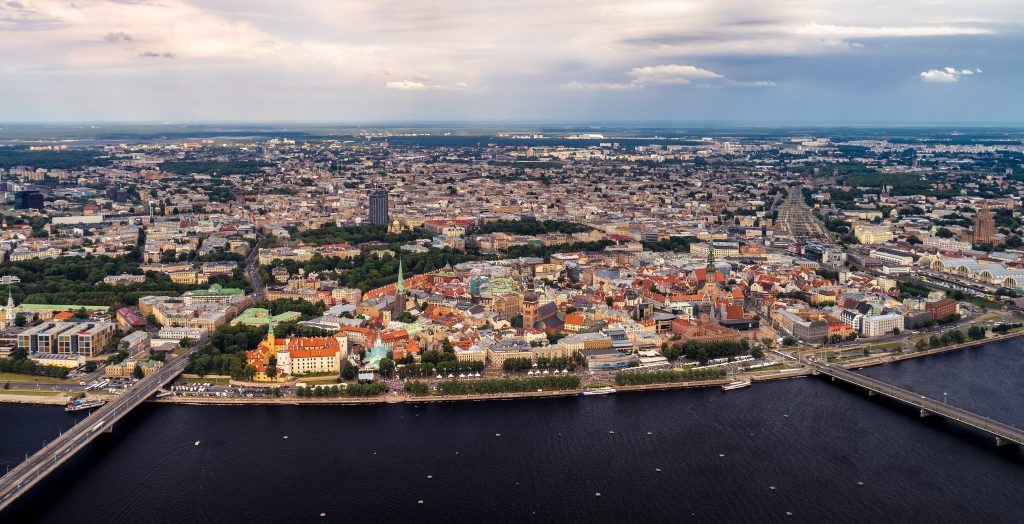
(24, 476)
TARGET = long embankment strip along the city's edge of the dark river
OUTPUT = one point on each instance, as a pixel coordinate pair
(58, 400)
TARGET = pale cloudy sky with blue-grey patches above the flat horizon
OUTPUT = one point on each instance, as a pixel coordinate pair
(828, 62)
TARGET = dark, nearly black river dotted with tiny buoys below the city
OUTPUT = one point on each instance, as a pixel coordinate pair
(832, 454)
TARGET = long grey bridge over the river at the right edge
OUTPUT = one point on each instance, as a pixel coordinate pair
(1004, 433)
